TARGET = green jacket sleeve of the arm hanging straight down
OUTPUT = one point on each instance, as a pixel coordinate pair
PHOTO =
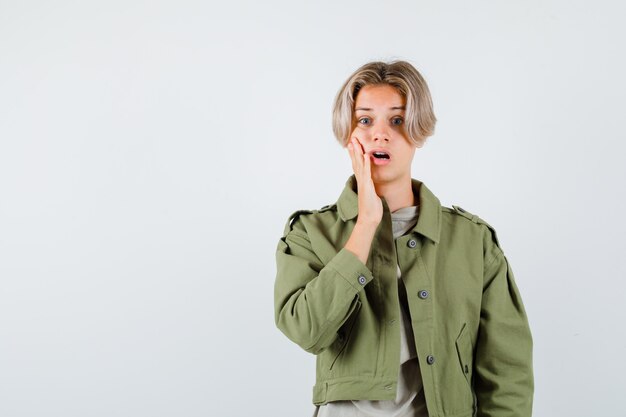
(503, 378)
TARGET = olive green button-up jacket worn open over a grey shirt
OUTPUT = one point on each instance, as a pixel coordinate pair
(471, 331)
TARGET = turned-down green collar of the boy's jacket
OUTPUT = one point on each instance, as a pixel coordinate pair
(429, 218)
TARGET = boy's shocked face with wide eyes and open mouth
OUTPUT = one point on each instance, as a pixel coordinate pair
(379, 112)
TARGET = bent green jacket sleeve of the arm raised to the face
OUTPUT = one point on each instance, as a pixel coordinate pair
(312, 300)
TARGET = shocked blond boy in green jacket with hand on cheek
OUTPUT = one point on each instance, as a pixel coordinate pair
(410, 307)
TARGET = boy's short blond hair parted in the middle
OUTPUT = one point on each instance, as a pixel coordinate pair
(420, 117)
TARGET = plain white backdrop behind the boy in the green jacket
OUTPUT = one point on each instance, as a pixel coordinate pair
(151, 152)
